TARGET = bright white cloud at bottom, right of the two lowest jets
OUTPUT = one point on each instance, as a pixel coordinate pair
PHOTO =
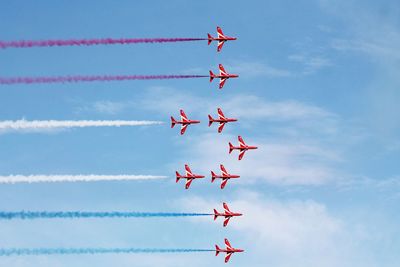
(289, 232)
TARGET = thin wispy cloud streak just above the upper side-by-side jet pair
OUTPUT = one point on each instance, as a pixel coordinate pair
(248, 107)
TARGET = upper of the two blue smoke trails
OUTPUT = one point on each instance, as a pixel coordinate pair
(28, 215)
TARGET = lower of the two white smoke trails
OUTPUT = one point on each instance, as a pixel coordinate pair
(12, 179)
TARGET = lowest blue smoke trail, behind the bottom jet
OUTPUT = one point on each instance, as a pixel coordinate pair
(65, 251)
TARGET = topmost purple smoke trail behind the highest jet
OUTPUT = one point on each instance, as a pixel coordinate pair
(89, 42)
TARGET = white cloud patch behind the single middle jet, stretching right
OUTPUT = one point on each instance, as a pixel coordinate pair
(276, 161)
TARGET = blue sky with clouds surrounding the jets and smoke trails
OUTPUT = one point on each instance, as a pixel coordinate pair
(318, 93)
